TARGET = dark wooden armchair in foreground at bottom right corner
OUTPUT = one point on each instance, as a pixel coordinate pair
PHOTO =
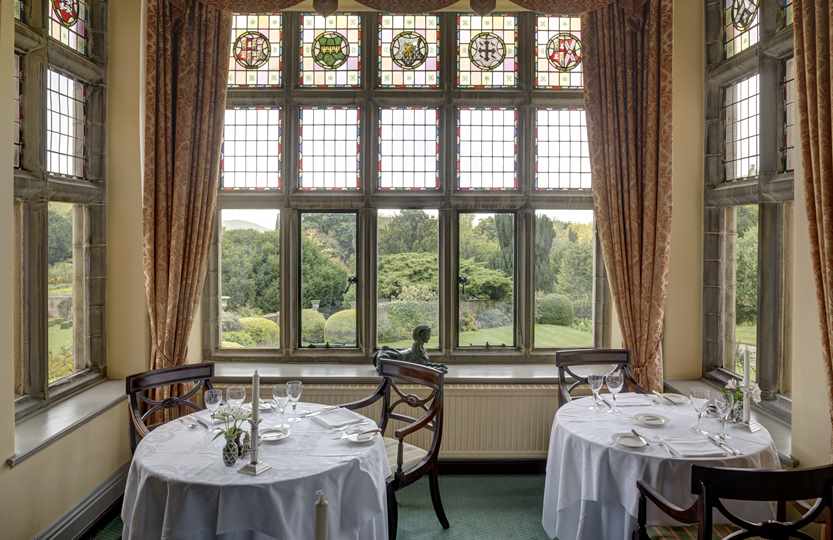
(713, 485)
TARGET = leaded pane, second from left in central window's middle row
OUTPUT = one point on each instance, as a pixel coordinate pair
(329, 148)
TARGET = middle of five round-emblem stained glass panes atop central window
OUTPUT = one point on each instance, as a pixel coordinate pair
(409, 51)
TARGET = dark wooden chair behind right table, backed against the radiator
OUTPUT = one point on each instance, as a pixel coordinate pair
(568, 362)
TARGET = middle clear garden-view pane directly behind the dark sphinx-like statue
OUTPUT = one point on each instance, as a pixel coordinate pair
(407, 276)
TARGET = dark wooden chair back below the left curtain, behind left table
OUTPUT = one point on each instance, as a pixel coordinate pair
(147, 413)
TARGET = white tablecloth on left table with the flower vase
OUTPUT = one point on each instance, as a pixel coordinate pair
(179, 488)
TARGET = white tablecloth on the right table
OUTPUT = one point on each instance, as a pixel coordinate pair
(591, 488)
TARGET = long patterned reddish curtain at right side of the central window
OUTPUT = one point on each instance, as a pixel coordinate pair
(627, 87)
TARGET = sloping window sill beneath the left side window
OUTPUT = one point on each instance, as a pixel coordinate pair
(44, 428)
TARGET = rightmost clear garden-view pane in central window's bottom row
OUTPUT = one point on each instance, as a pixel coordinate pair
(563, 267)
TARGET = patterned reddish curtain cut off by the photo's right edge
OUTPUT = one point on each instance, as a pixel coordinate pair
(813, 36)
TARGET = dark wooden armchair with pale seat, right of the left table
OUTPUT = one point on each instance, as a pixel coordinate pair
(409, 463)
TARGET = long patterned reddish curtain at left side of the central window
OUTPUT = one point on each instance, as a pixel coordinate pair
(186, 78)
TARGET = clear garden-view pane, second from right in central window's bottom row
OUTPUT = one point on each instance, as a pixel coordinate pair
(486, 280)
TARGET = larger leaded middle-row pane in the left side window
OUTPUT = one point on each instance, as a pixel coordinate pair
(65, 125)
